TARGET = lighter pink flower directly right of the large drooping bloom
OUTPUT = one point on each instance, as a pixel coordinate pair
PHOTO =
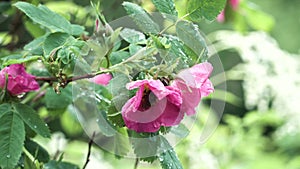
(194, 84)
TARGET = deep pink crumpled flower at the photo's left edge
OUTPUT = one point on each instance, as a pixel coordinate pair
(18, 80)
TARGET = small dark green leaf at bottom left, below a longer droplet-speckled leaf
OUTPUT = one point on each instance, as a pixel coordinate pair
(37, 151)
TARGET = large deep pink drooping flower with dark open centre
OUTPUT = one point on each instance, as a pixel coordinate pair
(153, 106)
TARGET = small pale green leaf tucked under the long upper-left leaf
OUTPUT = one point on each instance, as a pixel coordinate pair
(36, 46)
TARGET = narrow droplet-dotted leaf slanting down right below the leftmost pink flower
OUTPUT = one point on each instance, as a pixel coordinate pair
(32, 119)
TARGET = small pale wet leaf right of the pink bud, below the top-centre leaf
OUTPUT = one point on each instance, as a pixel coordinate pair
(132, 36)
